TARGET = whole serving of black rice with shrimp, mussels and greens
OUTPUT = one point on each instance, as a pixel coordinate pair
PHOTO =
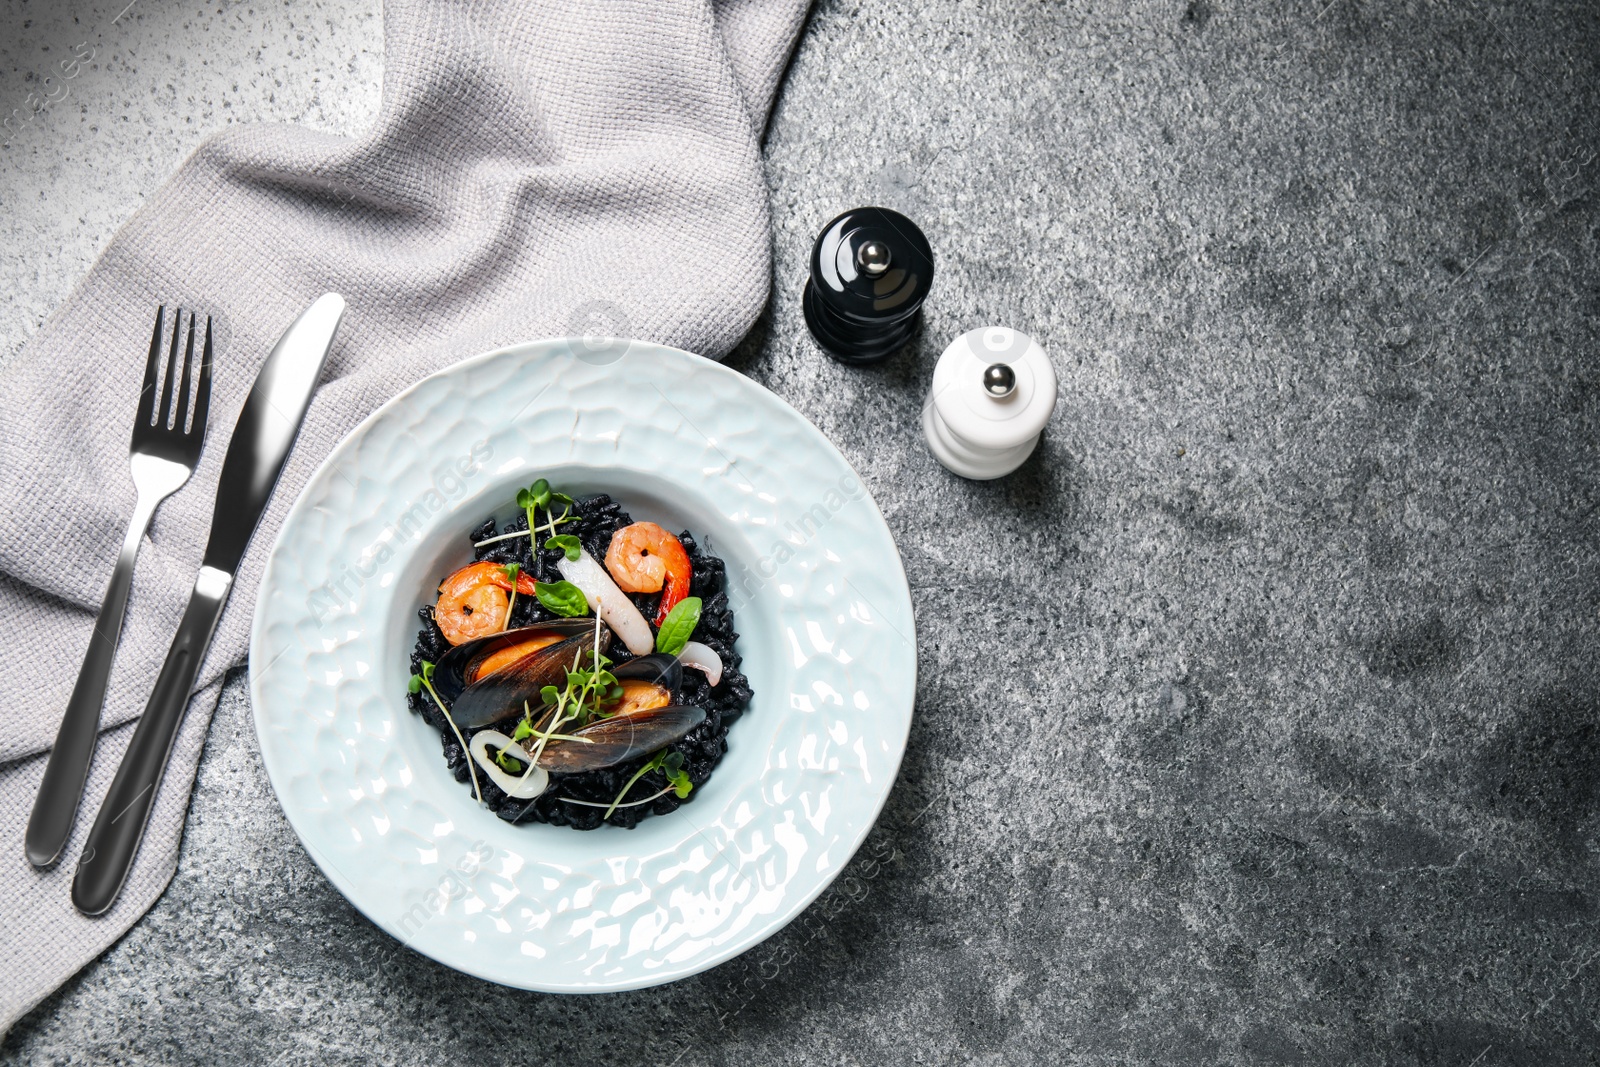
(582, 671)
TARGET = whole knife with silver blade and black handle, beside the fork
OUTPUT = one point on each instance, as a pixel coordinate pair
(262, 442)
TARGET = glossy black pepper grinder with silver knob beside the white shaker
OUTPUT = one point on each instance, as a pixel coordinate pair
(871, 270)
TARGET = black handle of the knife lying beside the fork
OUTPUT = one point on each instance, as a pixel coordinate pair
(119, 829)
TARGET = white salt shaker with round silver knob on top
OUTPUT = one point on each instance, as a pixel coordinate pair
(993, 394)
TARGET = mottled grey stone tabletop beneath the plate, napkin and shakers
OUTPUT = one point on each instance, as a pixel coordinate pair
(1258, 714)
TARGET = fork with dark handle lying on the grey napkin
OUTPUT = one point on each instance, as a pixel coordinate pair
(166, 449)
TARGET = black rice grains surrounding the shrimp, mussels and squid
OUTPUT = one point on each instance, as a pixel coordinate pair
(599, 518)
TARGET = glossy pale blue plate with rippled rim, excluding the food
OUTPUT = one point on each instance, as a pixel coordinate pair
(826, 634)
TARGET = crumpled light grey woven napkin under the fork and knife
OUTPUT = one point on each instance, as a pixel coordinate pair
(535, 170)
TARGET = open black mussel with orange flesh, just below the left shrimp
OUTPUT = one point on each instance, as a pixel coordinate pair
(492, 681)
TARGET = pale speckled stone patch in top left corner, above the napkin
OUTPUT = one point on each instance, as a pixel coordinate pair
(145, 84)
